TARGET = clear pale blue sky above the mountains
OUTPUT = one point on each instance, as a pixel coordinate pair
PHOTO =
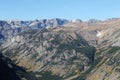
(69, 9)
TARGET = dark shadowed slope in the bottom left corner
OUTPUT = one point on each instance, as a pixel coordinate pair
(9, 71)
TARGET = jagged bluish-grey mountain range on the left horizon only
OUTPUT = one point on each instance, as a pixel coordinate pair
(11, 28)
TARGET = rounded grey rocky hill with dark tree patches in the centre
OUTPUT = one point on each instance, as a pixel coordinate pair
(60, 52)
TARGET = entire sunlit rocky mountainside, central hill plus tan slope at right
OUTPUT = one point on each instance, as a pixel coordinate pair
(76, 51)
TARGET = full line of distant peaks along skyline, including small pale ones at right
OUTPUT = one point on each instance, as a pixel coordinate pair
(13, 27)
